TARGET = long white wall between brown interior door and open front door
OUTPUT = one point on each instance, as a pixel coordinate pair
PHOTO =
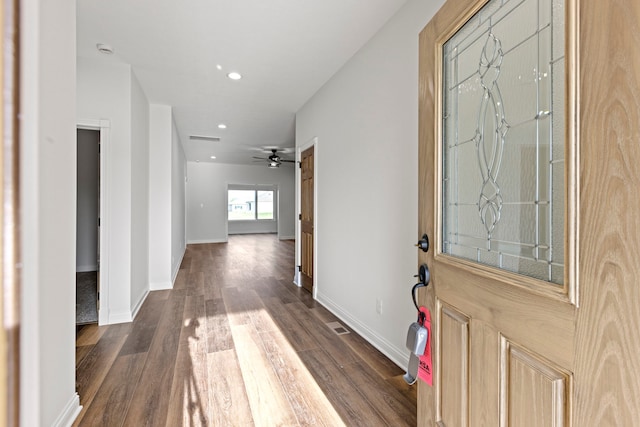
(366, 122)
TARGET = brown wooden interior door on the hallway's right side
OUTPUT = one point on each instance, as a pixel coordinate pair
(306, 219)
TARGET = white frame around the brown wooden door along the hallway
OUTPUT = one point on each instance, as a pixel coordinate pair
(313, 142)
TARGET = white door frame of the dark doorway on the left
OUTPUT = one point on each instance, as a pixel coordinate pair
(103, 126)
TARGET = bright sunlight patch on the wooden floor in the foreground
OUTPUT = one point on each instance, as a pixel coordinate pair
(262, 382)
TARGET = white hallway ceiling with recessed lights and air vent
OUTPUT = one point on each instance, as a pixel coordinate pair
(285, 50)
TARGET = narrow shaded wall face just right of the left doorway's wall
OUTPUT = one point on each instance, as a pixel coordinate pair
(139, 195)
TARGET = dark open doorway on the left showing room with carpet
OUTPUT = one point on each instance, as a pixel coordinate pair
(87, 226)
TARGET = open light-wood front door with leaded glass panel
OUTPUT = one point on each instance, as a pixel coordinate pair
(532, 211)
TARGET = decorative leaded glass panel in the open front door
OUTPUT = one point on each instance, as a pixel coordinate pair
(503, 139)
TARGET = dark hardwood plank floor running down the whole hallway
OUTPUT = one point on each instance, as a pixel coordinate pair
(235, 343)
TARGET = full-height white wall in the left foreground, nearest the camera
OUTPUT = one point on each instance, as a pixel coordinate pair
(48, 212)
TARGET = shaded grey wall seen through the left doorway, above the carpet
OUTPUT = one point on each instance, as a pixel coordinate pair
(88, 180)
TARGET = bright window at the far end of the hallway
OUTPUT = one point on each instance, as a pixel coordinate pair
(250, 205)
